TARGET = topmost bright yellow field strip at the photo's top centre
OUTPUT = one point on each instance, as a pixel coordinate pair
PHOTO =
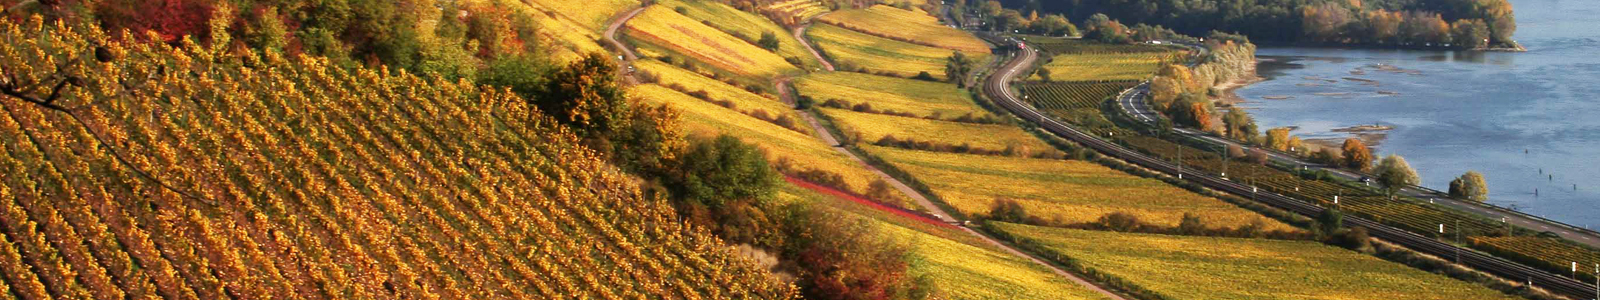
(906, 26)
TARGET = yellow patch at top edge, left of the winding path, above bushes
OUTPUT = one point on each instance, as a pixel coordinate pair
(570, 31)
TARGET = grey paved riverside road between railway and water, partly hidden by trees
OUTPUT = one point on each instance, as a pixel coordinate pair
(1135, 105)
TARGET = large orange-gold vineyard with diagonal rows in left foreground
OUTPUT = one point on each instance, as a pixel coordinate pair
(215, 173)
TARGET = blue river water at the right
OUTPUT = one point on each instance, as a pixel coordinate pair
(1530, 122)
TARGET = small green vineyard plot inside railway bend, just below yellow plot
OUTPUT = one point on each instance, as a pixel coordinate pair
(1074, 95)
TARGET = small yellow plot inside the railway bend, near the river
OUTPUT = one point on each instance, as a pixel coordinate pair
(1106, 66)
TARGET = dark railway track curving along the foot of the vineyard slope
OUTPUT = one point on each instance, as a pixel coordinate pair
(999, 89)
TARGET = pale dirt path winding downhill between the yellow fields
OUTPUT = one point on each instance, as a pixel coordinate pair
(826, 136)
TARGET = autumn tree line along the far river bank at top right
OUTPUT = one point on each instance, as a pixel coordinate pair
(1383, 23)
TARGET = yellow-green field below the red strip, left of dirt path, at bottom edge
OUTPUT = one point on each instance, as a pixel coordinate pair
(959, 264)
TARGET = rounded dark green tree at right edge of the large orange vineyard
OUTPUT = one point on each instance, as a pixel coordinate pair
(722, 170)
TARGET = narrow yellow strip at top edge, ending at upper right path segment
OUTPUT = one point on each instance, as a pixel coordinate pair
(745, 26)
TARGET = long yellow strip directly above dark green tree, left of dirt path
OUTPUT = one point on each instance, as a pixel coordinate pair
(806, 152)
